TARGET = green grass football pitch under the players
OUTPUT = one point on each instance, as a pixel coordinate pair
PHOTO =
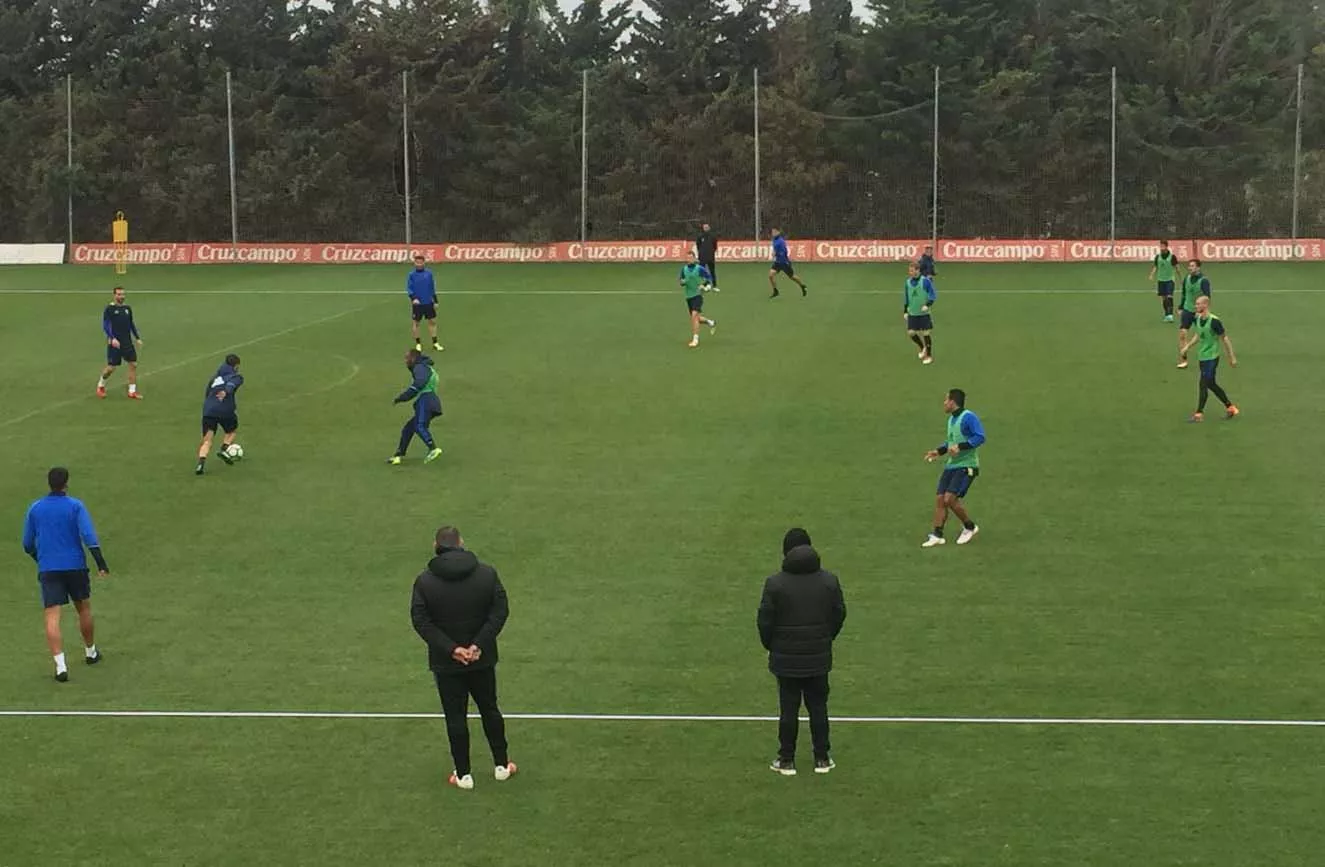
(634, 495)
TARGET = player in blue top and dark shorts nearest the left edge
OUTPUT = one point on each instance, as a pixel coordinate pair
(54, 535)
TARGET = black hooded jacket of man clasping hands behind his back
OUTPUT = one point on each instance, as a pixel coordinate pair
(458, 603)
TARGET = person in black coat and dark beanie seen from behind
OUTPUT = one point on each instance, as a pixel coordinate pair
(801, 614)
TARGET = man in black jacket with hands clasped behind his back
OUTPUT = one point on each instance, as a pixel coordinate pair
(459, 609)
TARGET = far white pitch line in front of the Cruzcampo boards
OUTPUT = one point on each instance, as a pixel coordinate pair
(1143, 291)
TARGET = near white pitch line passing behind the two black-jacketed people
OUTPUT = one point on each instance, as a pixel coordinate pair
(675, 718)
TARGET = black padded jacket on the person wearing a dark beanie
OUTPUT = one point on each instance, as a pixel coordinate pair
(801, 614)
